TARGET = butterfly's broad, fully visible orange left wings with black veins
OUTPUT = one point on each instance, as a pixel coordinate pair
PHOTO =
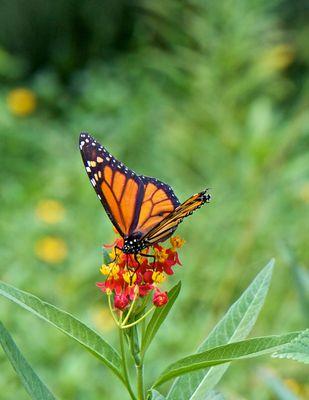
(135, 204)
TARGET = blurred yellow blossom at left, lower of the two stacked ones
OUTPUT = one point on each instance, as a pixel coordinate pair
(51, 249)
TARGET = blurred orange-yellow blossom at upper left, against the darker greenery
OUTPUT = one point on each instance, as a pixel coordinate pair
(21, 102)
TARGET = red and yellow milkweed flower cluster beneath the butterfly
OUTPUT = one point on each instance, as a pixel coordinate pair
(130, 276)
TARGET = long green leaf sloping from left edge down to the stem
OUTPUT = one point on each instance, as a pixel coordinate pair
(66, 323)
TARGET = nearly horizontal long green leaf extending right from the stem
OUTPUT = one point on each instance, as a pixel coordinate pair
(230, 352)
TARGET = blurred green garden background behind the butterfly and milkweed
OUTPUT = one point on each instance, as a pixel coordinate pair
(196, 93)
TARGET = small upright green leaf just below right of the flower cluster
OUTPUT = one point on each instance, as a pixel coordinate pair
(158, 317)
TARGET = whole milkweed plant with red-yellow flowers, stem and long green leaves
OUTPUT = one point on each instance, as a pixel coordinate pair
(139, 306)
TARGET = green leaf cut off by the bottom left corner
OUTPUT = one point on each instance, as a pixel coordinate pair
(32, 383)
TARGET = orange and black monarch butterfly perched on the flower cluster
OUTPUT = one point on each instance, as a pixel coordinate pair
(144, 210)
